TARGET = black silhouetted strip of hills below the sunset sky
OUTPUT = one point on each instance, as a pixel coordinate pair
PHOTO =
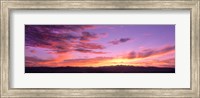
(104, 69)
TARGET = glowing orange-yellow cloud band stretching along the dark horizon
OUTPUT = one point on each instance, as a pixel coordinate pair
(61, 61)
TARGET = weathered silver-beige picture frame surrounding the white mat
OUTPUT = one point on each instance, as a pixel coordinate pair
(7, 6)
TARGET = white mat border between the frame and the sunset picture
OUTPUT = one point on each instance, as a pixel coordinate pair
(180, 79)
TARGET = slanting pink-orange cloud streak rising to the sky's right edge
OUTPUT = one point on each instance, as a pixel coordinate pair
(150, 52)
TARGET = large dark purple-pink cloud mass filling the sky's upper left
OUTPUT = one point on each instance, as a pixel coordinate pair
(62, 38)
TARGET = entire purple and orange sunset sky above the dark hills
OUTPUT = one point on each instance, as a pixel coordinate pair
(99, 45)
